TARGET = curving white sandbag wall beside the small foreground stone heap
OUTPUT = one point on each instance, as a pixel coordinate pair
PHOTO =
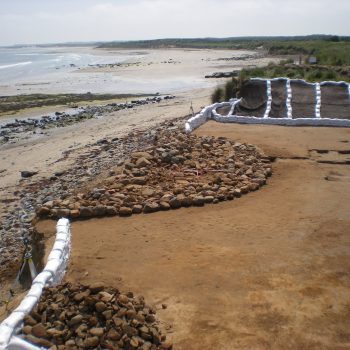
(51, 275)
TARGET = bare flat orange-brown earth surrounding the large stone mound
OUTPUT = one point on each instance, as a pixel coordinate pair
(268, 271)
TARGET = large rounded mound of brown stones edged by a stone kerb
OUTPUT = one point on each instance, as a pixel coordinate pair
(177, 170)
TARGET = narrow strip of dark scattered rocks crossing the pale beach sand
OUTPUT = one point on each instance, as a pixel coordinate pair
(12, 131)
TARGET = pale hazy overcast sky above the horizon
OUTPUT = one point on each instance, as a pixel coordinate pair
(54, 21)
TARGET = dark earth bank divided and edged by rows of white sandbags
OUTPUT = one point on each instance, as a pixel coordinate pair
(284, 101)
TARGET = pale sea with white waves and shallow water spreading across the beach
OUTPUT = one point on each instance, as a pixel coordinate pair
(37, 69)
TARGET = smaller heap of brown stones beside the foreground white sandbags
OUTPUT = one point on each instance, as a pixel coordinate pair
(93, 317)
